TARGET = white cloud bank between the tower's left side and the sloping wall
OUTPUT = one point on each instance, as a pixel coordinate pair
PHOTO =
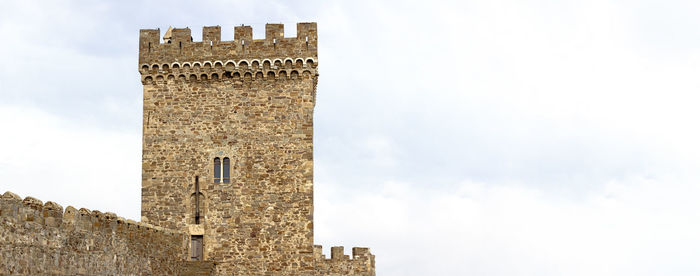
(49, 158)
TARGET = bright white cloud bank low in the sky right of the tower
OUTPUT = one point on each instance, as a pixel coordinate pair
(632, 227)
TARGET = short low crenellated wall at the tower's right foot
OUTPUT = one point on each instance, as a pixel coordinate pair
(361, 263)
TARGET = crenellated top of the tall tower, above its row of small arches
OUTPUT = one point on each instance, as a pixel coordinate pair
(178, 46)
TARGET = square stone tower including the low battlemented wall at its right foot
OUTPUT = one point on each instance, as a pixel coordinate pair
(228, 149)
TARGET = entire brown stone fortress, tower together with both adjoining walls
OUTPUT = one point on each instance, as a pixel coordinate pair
(248, 104)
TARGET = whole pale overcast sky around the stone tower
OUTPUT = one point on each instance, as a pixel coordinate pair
(452, 138)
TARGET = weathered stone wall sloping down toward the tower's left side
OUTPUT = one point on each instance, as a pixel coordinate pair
(42, 239)
